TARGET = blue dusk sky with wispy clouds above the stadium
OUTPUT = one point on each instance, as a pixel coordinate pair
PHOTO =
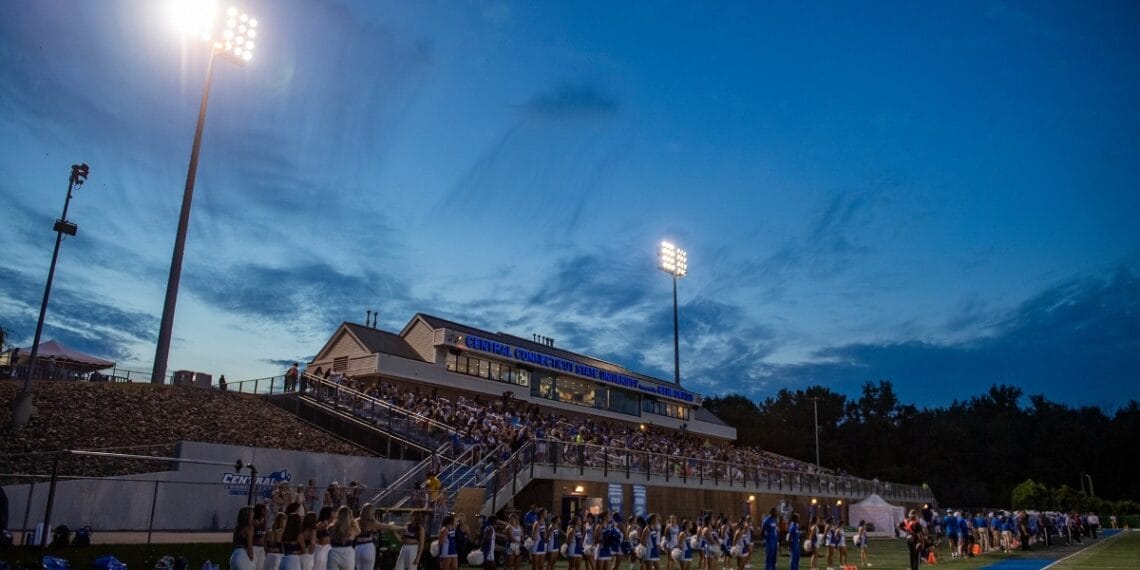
(939, 194)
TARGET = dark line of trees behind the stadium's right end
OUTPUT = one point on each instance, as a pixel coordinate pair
(972, 453)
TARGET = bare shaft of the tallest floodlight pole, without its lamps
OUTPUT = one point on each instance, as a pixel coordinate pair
(159, 374)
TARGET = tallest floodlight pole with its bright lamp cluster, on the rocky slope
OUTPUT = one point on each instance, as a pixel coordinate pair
(237, 45)
